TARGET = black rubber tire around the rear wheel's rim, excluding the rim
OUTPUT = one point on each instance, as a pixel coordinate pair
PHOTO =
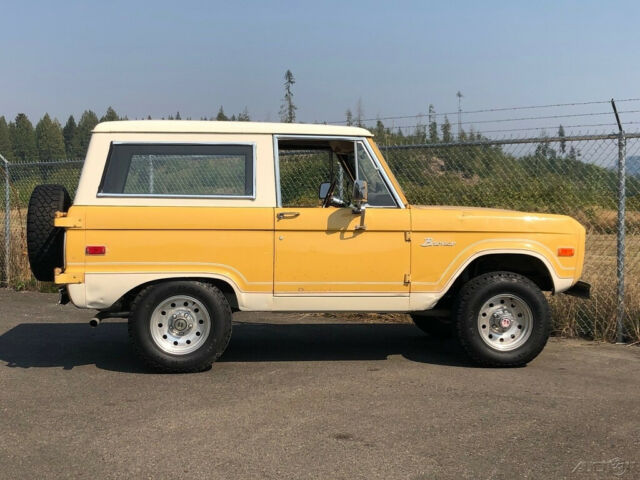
(211, 348)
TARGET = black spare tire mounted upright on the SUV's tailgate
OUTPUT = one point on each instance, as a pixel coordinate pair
(45, 243)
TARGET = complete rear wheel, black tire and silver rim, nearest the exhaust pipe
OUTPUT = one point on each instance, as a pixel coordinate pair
(180, 326)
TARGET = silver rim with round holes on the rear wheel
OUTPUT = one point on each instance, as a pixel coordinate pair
(180, 325)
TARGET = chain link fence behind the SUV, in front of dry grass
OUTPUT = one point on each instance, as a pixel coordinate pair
(576, 176)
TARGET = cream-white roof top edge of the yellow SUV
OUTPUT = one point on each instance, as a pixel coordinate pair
(189, 126)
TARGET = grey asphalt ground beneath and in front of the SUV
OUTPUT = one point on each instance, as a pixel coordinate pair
(296, 398)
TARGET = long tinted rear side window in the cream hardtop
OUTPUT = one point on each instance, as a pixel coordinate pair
(179, 170)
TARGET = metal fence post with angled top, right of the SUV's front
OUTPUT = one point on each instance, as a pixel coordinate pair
(622, 194)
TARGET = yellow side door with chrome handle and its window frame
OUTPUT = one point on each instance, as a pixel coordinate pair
(325, 251)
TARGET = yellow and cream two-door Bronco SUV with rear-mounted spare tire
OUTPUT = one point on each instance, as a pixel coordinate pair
(176, 224)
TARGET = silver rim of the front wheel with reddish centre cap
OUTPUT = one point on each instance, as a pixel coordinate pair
(505, 322)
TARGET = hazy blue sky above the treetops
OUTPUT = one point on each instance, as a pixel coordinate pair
(193, 56)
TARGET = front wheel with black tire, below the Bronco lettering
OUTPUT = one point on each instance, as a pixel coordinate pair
(469, 320)
